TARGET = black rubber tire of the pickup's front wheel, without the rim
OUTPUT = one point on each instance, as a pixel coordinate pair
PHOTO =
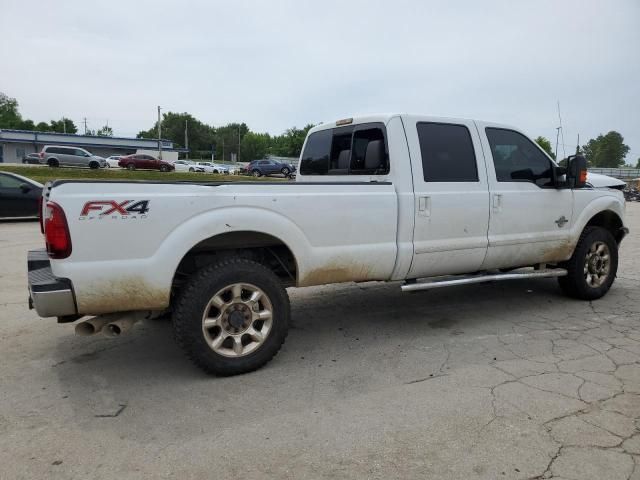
(575, 284)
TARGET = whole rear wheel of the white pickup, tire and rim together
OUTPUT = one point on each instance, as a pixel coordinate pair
(232, 316)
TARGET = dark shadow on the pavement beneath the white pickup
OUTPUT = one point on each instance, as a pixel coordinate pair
(344, 340)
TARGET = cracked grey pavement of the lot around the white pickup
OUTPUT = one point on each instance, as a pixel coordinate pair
(504, 380)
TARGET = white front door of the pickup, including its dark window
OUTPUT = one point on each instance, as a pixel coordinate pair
(530, 218)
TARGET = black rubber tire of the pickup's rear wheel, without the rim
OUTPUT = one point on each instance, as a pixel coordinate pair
(194, 299)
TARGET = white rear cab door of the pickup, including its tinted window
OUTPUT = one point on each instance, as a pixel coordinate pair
(451, 196)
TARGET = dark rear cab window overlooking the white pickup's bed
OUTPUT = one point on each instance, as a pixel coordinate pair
(359, 149)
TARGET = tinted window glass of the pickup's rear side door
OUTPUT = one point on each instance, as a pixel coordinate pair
(447, 153)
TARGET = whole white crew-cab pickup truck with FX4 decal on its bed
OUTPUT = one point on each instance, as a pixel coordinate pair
(425, 201)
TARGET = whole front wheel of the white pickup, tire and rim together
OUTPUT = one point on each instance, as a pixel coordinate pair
(593, 266)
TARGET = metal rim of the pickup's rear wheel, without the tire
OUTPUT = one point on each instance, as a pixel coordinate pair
(237, 320)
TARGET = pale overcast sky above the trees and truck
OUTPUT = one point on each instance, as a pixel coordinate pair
(276, 64)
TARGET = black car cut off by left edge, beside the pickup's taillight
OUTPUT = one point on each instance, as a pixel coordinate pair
(19, 196)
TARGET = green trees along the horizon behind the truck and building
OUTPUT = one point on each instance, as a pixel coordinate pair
(237, 140)
